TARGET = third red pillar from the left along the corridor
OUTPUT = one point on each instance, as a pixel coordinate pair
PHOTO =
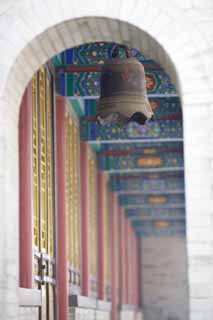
(84, 212)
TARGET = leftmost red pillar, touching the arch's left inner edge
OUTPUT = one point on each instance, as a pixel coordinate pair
(25, 191)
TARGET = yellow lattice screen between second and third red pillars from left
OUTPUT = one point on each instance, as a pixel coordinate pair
(72, 198)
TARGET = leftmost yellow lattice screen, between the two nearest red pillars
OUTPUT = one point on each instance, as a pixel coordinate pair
(43, 191)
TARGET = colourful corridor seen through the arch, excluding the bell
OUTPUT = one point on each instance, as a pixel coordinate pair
(104, 199)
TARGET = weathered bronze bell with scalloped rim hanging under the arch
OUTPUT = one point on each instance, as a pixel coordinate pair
(123, 91)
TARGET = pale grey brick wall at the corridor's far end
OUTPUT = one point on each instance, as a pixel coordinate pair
(164, 282)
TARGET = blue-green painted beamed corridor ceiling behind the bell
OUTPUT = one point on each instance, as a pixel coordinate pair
(145, 163)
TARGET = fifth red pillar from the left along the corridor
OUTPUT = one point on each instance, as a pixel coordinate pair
(114, 249)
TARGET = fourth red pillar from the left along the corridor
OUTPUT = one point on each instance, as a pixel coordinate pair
(101, 247)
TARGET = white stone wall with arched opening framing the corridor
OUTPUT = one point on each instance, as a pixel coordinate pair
(30, 34)
